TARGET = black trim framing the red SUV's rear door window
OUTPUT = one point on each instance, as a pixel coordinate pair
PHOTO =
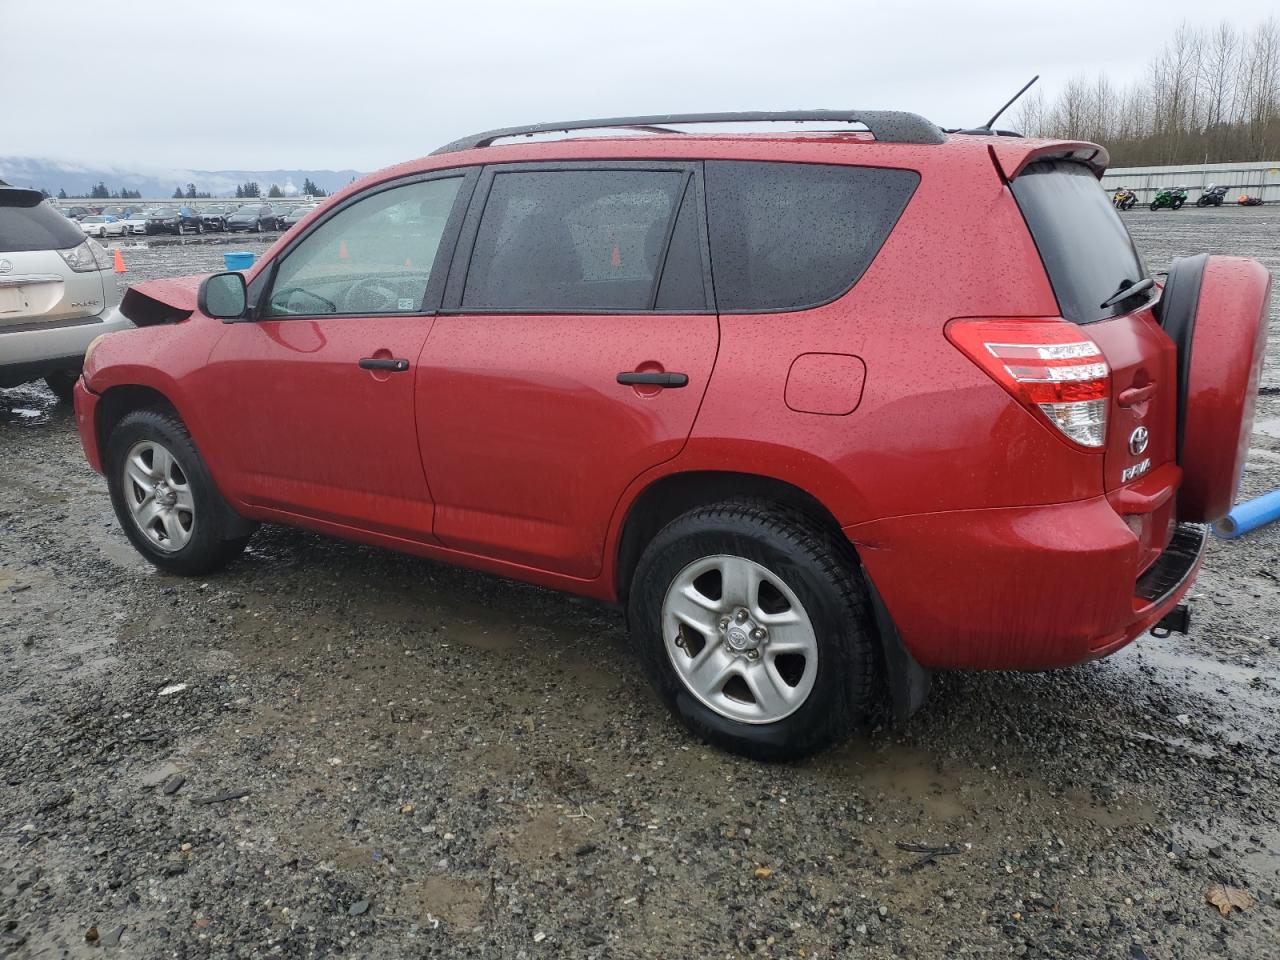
(452, 303)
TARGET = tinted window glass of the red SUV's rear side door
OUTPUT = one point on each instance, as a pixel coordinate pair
(575, 240)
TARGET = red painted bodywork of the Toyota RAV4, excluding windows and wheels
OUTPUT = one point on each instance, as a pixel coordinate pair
(993, 541)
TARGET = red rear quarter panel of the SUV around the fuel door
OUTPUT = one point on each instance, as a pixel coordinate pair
(932, 432)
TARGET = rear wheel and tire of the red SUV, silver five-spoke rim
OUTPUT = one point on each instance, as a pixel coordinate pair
(755, 627)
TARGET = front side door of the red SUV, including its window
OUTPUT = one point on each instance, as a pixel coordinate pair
(317, 395)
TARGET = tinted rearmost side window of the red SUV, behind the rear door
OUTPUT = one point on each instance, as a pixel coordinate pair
(793, 236)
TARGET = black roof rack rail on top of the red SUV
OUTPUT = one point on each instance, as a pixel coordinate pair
(886, 126)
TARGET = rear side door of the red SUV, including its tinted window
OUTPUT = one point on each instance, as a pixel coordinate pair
(573, 353)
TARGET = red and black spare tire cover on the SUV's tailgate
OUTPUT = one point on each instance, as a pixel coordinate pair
(1220, 327)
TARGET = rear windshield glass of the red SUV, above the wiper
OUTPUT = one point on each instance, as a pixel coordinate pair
(1087, 252)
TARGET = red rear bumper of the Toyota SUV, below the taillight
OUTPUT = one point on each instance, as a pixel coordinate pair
(1022, 588)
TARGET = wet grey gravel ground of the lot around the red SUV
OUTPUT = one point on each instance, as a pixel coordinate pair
(374, 756)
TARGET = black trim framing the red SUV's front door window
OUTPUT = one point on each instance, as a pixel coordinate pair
(259, 291)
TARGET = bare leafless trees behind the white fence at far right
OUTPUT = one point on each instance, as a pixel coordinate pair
(1210, 95)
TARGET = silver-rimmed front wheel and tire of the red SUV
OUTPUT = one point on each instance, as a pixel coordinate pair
(166, 499)
